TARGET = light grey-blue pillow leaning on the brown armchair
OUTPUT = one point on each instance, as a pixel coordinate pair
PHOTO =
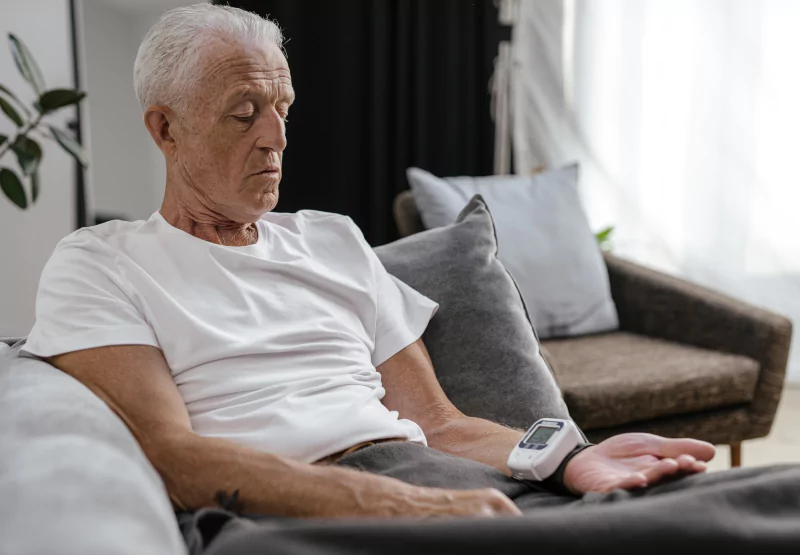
(544, 241)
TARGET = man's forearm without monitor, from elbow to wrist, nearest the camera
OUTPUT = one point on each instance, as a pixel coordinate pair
(195, 469)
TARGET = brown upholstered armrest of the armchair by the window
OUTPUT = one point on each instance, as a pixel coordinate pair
(657, 305)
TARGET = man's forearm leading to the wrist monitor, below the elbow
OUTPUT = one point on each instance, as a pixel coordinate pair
(476, 439)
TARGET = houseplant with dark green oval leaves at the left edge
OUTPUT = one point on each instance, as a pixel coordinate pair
(30, 127)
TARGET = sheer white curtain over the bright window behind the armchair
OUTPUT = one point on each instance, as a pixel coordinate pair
(685, 115)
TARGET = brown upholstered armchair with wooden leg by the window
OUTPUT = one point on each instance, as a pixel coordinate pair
(685, 361)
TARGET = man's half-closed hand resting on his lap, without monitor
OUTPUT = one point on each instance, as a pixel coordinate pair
(433, 502)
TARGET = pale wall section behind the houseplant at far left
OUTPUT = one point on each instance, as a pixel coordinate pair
(28, 237)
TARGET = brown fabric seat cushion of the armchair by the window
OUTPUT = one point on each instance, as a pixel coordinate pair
(619, 378)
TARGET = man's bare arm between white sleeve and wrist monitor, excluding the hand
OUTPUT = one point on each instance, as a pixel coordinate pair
(413, 390)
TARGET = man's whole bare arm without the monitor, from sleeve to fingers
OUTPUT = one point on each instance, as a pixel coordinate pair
(136, 384)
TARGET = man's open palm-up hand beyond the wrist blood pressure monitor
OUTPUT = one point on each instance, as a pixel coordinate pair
(629, 461)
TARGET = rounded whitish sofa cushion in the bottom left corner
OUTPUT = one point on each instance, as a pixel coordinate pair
(73, 480)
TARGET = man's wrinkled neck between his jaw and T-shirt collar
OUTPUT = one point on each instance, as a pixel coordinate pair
(184, 210)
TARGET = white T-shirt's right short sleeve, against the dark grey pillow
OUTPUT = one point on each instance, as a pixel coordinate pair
(402, 312)
